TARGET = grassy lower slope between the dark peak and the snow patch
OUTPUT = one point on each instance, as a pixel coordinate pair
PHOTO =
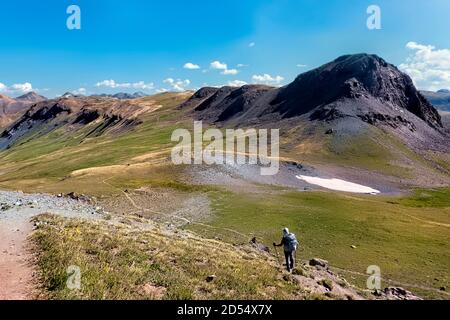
(364, 153)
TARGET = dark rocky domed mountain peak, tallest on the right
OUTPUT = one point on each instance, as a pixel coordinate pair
(359, 76)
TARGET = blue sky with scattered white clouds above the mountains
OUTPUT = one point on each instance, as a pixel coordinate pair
(144, 45)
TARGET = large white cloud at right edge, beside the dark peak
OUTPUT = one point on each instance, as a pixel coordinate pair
(427, 66)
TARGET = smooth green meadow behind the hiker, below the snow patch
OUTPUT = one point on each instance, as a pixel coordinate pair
(408, 238)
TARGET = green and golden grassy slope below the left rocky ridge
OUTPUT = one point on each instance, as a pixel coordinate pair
(45, 160)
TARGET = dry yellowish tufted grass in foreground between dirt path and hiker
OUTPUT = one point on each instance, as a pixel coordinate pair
(120, 262)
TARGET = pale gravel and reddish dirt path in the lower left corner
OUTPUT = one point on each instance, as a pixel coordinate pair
(16, 211)
